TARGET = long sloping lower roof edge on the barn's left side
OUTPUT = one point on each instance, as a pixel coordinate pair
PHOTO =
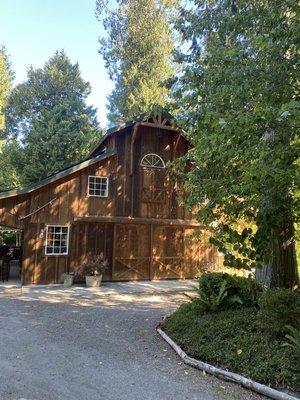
(57, 175)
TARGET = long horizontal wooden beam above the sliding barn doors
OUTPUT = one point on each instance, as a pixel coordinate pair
(138, 220)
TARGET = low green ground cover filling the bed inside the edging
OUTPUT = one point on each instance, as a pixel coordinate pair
(230, 339)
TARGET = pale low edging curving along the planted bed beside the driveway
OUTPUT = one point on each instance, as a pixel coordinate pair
(223, 374)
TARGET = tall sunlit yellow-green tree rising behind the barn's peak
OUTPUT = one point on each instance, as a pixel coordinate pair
(138, 55)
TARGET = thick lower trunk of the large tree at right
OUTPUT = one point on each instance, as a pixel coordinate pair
(281, 270)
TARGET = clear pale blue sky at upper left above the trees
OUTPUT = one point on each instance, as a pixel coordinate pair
(32, 30)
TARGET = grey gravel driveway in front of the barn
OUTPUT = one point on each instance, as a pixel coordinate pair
(69, 345)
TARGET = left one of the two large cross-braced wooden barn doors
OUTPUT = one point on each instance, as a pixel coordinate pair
(131, 252)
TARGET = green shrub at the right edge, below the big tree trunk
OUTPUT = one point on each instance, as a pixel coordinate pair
(279, 308)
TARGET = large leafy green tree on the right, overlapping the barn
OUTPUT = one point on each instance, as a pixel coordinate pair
(240, 101)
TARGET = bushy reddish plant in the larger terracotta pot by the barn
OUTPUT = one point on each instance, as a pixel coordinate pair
(93, 269)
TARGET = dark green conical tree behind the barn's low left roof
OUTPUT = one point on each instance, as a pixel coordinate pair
(49, 116)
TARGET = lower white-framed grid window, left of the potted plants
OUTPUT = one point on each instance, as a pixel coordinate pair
(57, 240)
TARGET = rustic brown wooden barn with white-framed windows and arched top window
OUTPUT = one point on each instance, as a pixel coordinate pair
(119, 201)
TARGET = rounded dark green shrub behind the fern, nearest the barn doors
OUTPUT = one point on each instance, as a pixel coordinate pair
(240, 291)
